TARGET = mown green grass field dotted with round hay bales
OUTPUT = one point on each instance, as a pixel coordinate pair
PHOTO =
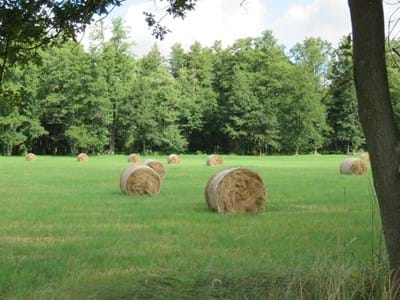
(66, 232)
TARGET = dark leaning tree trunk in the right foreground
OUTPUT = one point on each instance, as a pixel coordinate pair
(377, 118)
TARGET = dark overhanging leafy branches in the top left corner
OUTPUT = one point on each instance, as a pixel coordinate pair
(29, 24)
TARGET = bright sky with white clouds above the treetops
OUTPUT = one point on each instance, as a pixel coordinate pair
(290, 21)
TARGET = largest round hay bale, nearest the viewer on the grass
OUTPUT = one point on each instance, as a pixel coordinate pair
(236, 190)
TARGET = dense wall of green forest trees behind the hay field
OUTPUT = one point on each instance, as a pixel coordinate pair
(253, 97)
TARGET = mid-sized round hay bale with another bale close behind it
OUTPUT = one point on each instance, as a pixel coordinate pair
(139, 179)
